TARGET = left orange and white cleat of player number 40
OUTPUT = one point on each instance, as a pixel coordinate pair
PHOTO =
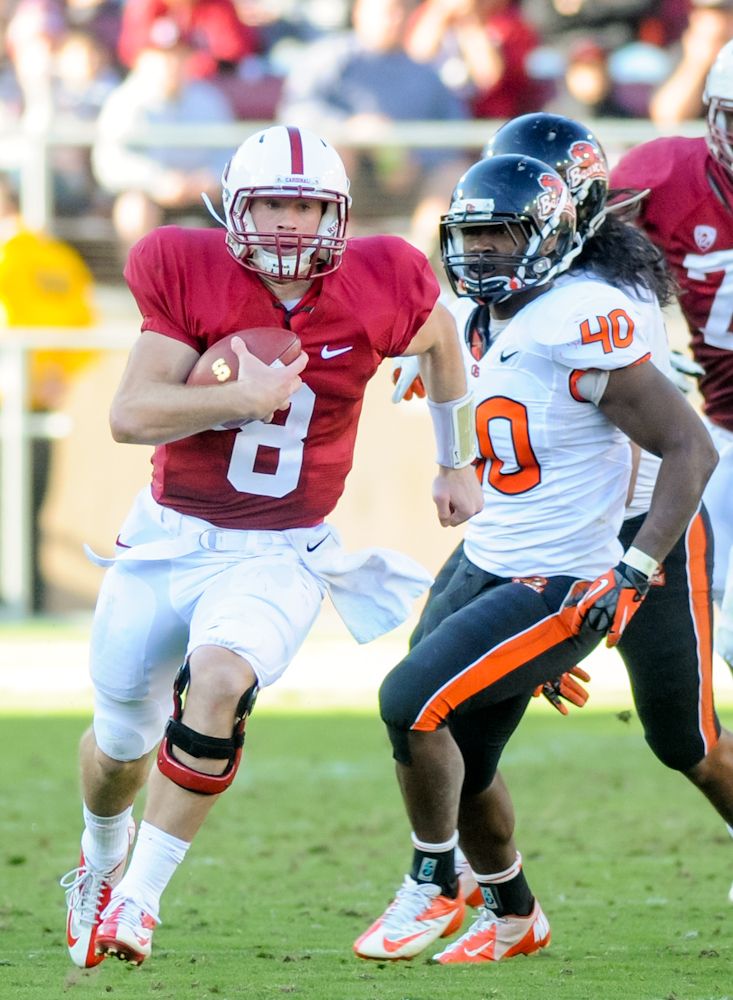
(418, 916)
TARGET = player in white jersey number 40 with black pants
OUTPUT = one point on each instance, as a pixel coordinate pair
(561, 375)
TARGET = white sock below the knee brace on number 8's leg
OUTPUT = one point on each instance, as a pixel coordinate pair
(156, 856)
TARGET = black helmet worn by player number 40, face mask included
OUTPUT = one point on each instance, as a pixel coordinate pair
(496, 246)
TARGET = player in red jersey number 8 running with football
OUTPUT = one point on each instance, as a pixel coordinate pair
(223, 564)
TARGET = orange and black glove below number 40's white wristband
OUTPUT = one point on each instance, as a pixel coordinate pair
(610, 602)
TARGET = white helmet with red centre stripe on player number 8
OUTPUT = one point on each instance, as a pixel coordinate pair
(286, 162)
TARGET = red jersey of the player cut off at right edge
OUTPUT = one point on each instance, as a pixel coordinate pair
(689, 215)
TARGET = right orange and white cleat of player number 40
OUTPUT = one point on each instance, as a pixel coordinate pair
(492, 938)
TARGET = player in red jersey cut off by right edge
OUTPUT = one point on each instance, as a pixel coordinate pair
(688, 213)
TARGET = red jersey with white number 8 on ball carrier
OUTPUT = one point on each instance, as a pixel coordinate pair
(291, 472)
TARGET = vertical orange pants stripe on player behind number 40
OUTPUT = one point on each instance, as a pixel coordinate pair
(696, 547)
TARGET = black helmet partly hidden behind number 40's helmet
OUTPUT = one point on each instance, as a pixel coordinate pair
(569, 148)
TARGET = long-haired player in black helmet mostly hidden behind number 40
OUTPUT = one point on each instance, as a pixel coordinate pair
(666, 648)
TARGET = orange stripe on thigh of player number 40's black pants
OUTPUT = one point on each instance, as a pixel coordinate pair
(494, 665)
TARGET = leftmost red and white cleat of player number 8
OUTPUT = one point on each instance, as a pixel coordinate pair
(88, 892)
